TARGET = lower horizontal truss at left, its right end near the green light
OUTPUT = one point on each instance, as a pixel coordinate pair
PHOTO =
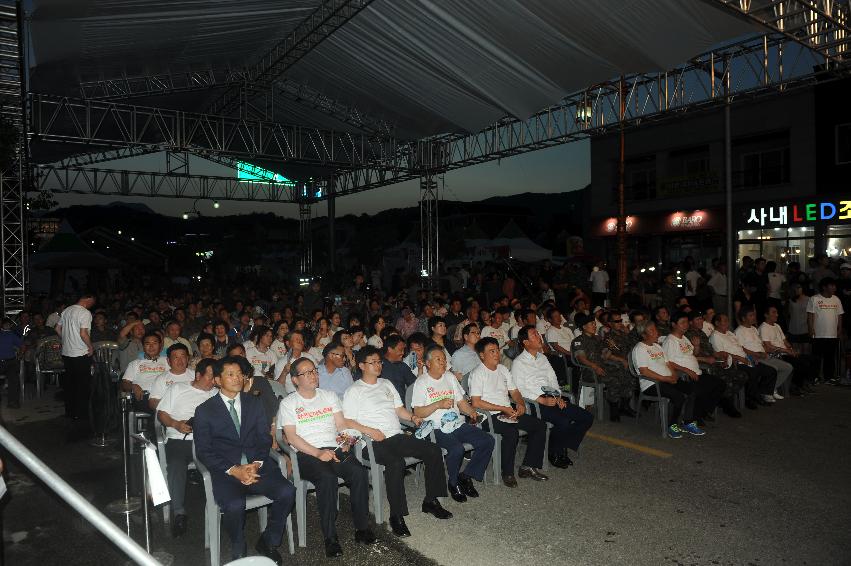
(107, 182)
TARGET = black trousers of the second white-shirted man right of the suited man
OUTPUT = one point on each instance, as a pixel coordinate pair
(391, 453)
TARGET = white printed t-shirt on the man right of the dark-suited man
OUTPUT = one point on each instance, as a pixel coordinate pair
(313, 419)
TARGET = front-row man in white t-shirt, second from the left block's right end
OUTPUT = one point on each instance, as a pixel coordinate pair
(492, 389)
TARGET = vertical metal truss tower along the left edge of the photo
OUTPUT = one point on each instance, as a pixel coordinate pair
(15, 178)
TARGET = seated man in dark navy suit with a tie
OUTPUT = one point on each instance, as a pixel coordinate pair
(232, 439)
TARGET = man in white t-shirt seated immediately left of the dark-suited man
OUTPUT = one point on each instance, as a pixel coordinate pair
(175, 411)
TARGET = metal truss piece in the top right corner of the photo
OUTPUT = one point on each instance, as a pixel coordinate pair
(821, 25)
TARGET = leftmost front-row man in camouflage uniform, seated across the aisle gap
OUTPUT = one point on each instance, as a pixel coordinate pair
(589, 350)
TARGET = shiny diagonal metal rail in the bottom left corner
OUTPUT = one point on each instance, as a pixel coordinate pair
(77, 502)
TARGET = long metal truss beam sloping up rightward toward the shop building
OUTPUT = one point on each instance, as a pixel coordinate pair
(749, 69)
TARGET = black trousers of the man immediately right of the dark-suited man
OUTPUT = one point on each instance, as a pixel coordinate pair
(323, 475)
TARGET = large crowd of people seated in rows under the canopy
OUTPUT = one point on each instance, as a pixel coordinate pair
(476, 369)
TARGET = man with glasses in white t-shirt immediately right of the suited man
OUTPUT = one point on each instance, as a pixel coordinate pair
(312, 418)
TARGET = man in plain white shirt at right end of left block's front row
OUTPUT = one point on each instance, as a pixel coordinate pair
(535, 378)
